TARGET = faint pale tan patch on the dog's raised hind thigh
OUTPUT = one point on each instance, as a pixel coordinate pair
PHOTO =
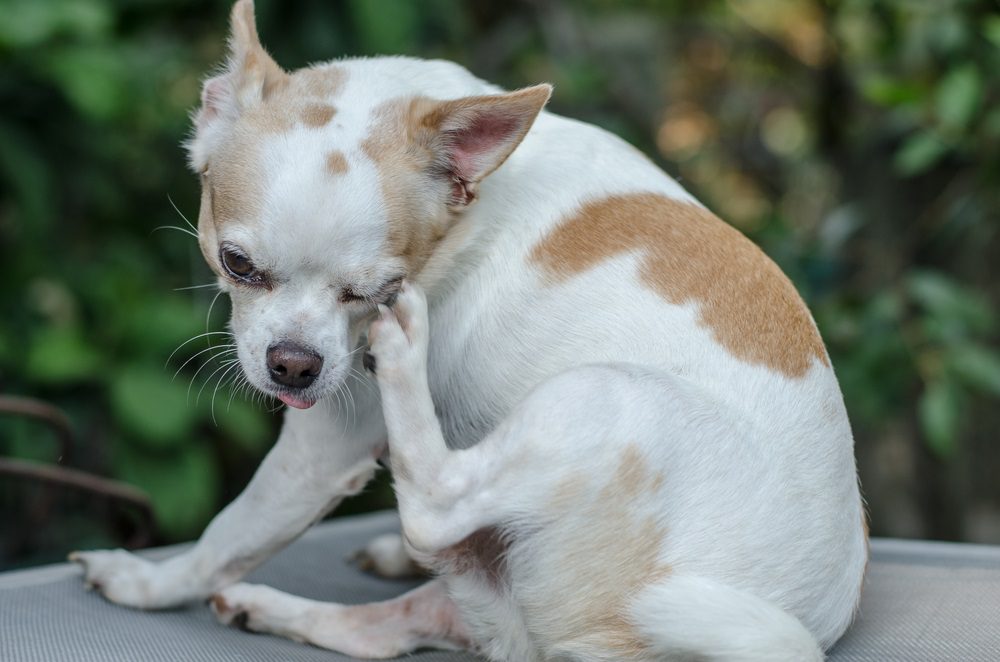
(615, 558)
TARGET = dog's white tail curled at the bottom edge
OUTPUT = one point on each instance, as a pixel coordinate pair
(705, 619)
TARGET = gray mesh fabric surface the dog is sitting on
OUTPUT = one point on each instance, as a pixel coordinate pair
(922, 601)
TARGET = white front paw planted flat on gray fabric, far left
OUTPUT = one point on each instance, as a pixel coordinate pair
(120, 577)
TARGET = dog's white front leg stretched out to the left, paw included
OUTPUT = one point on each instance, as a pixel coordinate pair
(309, 470)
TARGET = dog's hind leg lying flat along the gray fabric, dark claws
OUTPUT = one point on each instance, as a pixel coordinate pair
(424, 617)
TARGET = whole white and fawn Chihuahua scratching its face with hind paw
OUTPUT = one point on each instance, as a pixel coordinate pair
(613, 428)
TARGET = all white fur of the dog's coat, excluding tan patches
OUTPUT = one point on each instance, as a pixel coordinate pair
(759, 502)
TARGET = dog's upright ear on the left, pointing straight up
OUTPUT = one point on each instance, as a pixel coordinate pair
(250, 74)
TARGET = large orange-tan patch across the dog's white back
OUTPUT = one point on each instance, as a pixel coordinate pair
(690, 255)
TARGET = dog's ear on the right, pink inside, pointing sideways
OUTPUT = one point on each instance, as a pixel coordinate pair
(471, 137)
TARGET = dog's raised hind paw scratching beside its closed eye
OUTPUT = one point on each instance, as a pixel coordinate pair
(398, 337)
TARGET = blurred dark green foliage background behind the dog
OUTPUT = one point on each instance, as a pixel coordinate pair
(856, 141)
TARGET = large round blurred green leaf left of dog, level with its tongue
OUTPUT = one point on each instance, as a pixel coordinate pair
(152, 406)
